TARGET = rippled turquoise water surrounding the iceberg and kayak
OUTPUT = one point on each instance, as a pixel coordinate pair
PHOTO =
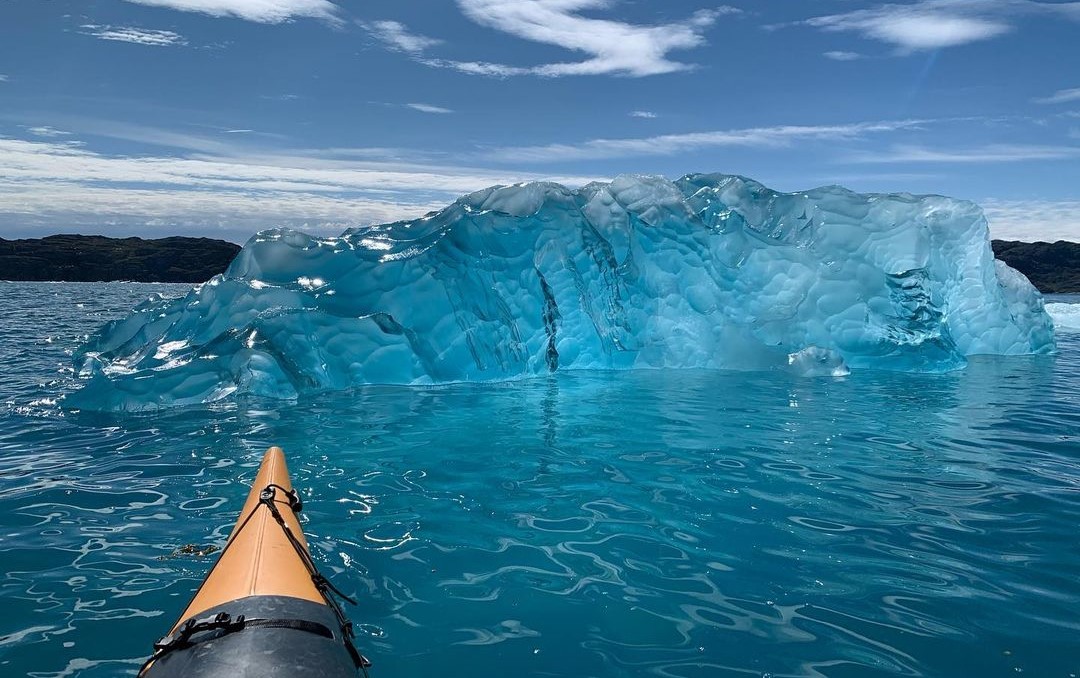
(638, 524)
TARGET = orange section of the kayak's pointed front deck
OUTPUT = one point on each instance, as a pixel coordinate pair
(259, 559)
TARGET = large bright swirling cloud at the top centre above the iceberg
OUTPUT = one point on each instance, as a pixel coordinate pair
(611, 47)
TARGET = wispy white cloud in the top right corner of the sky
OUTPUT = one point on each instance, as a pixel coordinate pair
(938, 24)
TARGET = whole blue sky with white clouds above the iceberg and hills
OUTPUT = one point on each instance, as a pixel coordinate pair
(221, 118)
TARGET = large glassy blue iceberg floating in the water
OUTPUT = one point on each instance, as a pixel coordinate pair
(710, 272)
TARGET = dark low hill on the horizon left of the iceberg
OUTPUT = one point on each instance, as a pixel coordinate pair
(93, 259)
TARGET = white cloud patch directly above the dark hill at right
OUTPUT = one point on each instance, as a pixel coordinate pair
(1034, 221)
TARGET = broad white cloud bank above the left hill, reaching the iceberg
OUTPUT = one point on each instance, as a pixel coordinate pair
(51, 182)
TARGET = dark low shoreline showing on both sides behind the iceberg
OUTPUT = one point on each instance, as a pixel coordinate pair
(1054, 268)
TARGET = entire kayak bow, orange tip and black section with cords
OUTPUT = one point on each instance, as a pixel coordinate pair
(264, 609)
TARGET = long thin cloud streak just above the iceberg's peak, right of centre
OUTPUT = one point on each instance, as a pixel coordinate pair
(671, 144)
